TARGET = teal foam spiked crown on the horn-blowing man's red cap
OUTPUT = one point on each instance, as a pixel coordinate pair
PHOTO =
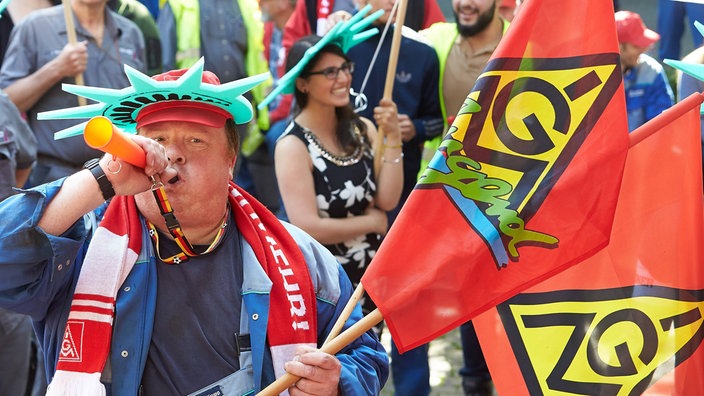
(123, 106)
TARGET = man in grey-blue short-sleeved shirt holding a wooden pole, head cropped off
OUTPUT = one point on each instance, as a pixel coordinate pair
(38, 59)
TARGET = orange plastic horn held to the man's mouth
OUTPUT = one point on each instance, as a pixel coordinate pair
(101, 134)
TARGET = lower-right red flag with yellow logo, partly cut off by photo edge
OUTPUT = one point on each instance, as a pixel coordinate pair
(630, 319)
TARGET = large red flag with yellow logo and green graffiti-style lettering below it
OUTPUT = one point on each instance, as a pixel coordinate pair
(520, 189)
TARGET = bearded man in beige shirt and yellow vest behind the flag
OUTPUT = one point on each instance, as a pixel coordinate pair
(463, 49)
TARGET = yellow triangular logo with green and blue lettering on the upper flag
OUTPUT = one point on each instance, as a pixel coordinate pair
(498, 163)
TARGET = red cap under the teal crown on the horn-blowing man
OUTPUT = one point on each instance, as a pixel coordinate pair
(197, 112)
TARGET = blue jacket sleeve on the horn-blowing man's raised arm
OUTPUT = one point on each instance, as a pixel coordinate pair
(36, 268)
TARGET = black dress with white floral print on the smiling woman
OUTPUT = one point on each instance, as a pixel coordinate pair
(344, 187)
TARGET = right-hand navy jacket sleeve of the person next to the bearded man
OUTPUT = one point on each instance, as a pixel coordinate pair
(429, 121)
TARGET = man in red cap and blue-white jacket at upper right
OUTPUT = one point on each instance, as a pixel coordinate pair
(648, 92)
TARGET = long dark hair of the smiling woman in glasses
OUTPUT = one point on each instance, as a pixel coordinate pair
(346, 117)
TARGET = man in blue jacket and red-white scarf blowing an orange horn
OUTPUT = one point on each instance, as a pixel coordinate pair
(228, 317)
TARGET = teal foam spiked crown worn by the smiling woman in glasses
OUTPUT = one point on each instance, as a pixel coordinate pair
(345, 34)
